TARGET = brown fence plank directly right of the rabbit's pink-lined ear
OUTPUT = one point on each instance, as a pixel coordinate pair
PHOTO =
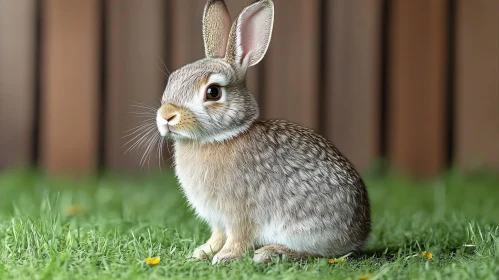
(291, 89)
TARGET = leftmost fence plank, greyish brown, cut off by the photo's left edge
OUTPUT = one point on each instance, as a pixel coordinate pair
(17, 62)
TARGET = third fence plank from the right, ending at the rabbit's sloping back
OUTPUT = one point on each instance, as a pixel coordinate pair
(352, 80)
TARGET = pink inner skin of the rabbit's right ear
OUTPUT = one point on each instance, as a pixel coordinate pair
(252, 31)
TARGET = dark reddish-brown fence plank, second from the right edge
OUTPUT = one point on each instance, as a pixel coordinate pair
(417, 86)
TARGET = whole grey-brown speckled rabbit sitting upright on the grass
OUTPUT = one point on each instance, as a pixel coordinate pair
(268, 185)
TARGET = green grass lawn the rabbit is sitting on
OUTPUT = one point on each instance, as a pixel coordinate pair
(125, 220)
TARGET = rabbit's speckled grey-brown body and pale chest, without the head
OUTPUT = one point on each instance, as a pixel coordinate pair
(276, 183)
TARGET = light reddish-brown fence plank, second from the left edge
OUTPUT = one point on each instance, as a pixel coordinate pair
(70, 85)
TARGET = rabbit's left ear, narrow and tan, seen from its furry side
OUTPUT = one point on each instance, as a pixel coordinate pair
(216, 28)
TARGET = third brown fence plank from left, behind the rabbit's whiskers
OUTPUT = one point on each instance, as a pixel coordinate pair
(135, 48)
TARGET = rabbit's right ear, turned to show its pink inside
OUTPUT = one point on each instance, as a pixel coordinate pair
(250, 34)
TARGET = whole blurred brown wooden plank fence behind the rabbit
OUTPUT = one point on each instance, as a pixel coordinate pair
(415, 82)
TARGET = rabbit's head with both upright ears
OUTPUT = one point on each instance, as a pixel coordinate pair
(207, 100)
